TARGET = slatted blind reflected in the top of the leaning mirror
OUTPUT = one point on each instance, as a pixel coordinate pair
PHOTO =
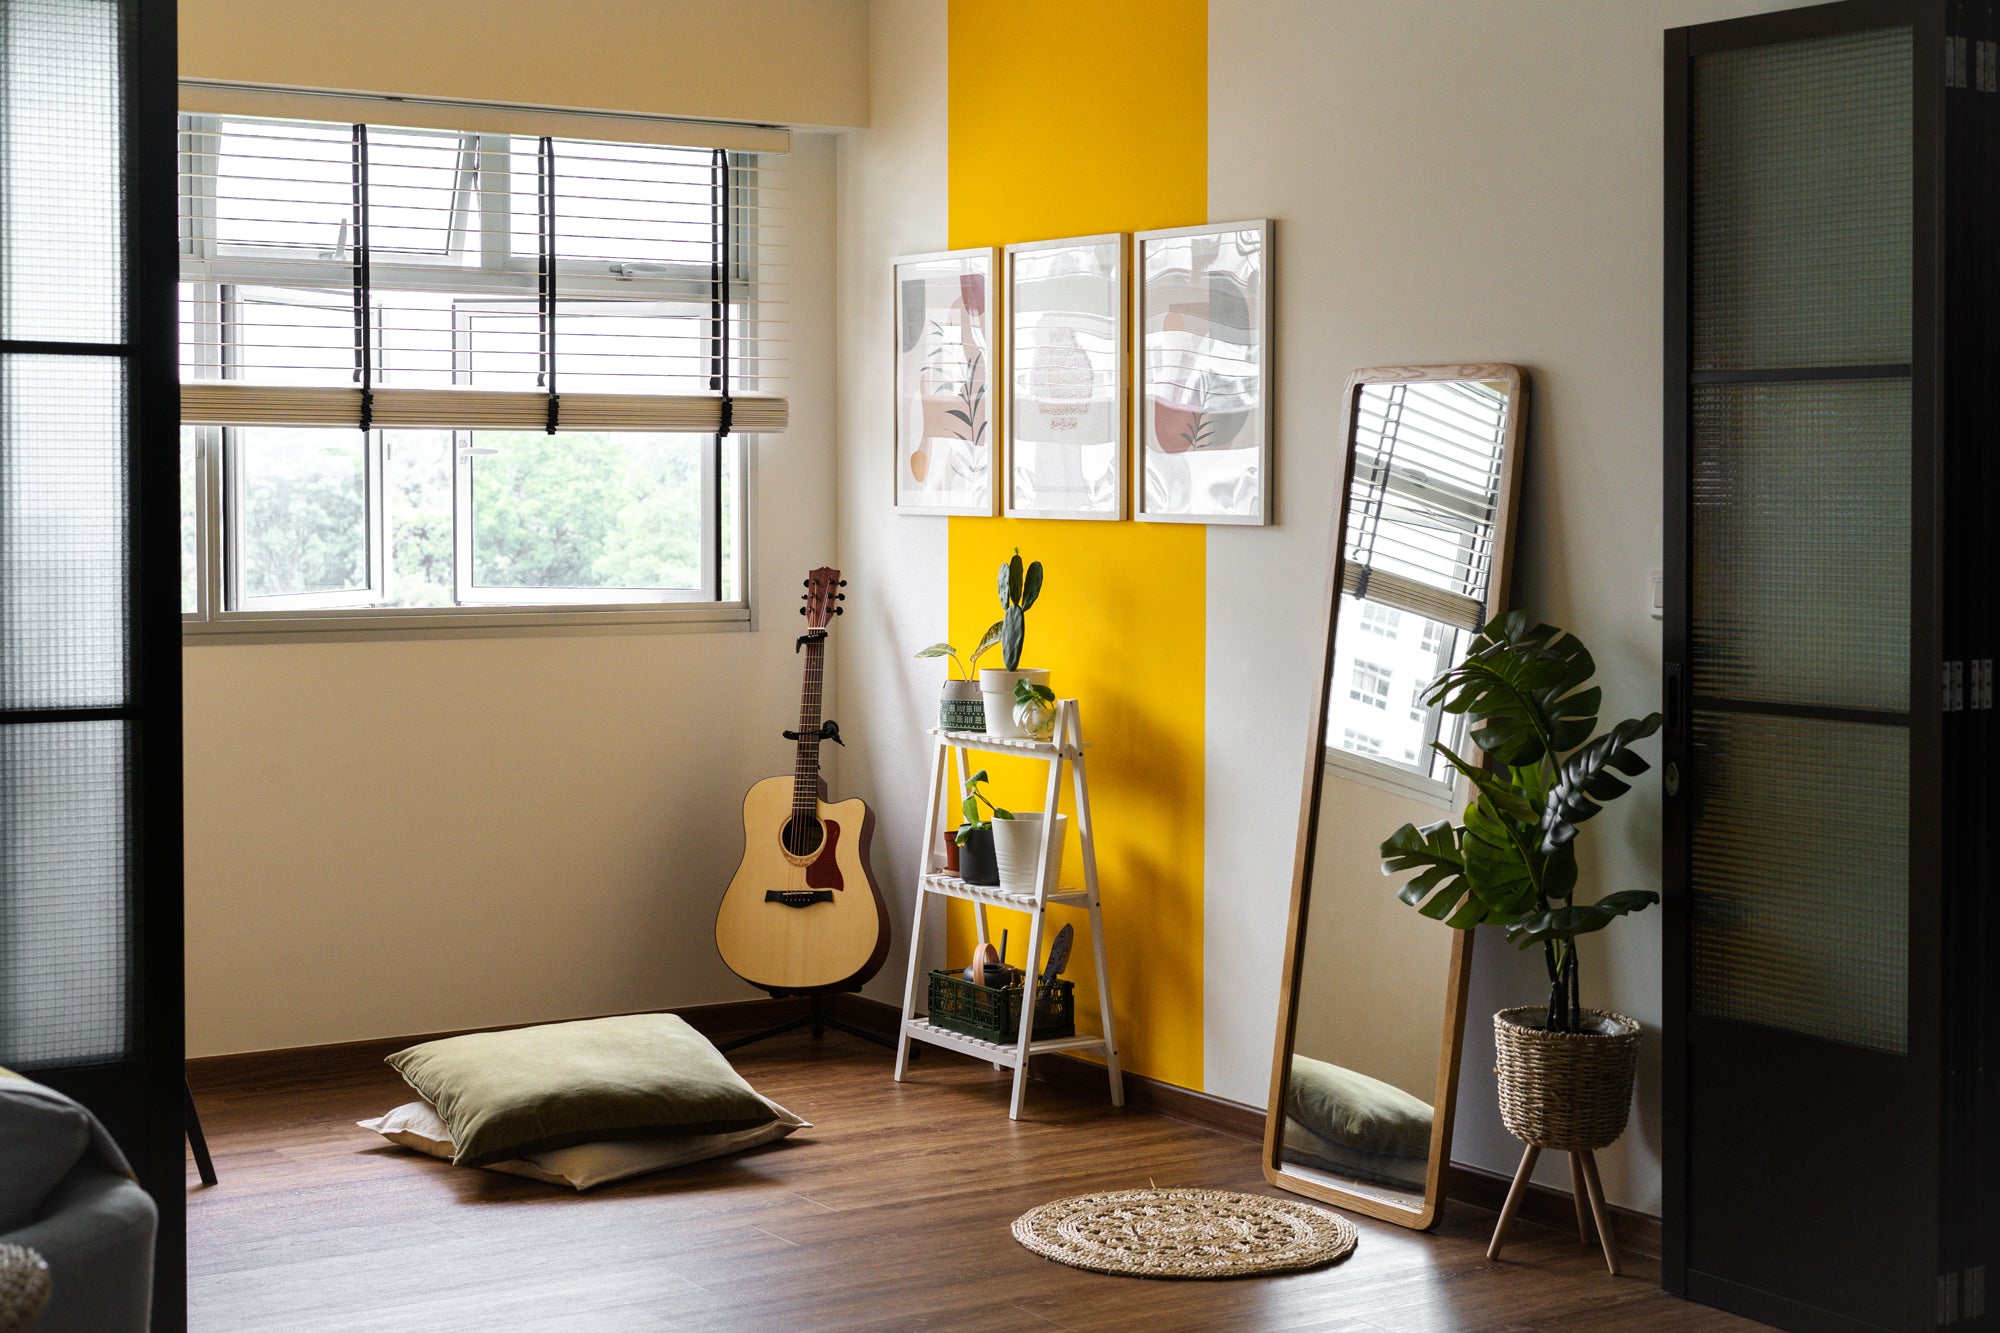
(1425, 495)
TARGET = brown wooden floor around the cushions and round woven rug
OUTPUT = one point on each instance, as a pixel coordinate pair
(891, 1214)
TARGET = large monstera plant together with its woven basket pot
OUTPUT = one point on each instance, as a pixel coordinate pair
(1565, 1072)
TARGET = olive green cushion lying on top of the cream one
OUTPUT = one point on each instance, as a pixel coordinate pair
(533, 1090)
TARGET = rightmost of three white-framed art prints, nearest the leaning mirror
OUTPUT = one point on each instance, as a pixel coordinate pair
(1201, 431)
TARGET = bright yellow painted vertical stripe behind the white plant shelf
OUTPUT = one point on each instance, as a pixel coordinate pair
(1067, 119)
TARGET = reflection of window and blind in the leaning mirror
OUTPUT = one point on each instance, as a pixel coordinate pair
(1419, 563)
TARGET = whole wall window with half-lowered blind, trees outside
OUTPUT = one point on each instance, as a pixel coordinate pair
(443, 377)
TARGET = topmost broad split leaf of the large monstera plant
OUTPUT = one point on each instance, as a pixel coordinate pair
(1525, 688)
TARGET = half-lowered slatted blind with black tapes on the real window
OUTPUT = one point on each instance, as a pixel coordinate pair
(381, 277)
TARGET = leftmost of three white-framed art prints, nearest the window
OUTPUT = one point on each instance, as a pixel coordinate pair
(945, 383)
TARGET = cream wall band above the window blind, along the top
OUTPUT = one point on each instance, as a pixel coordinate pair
(763, 61)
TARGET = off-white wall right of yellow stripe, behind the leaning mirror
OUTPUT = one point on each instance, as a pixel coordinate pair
(1451, 183)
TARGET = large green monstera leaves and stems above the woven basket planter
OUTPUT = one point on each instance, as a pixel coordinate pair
(1513, 862)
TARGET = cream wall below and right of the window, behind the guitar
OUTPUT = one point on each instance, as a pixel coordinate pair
(423, 836)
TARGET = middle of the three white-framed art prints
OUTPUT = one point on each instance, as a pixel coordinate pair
(1067, 379)
